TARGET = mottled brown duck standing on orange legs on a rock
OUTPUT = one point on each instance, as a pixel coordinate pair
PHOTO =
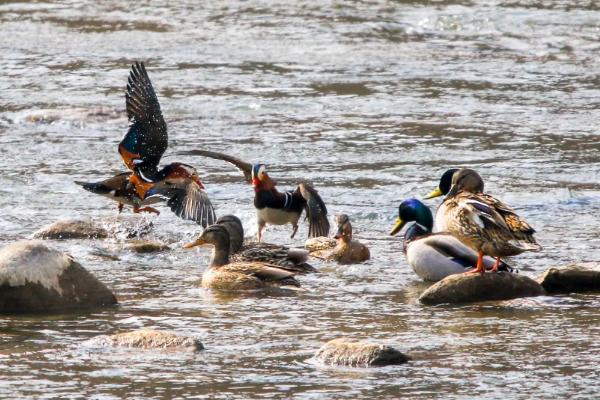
(482, 222)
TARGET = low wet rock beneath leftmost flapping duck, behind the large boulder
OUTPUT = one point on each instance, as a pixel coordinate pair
(121, 226)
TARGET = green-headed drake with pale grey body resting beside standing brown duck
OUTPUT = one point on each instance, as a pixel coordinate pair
(434, 256)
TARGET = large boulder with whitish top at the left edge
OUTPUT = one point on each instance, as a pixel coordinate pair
(37, 279)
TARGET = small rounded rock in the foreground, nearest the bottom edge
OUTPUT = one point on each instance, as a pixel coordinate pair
(343, 352)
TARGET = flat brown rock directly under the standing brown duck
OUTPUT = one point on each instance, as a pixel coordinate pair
(469, 288)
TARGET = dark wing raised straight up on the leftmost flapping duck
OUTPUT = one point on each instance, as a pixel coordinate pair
(146, 140)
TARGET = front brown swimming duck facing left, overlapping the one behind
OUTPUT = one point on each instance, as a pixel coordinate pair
(222, 274)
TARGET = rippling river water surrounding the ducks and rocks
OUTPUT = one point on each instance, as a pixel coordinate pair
(371, 101)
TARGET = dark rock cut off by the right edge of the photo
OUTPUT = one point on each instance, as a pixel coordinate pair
(571, 278)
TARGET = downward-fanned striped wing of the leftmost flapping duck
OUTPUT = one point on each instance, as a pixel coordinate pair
(192, 203)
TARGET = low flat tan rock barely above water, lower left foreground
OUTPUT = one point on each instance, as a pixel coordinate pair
(149, 339)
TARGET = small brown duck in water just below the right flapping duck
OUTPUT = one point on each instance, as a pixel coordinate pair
(347, 250)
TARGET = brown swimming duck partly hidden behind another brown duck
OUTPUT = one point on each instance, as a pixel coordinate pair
(240, 250)
